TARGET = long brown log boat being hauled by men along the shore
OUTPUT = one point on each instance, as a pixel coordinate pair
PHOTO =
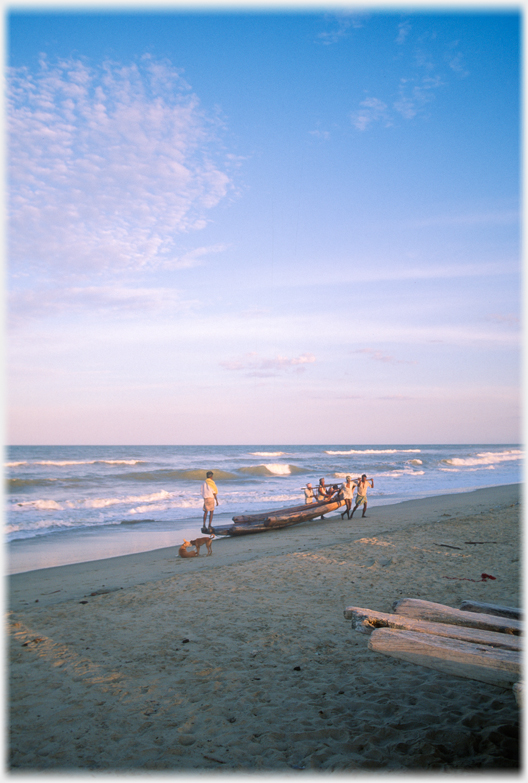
(278, 518)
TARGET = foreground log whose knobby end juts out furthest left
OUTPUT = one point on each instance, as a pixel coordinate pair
(366, 620)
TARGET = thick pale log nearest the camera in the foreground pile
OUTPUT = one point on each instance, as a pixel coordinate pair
(462, 659)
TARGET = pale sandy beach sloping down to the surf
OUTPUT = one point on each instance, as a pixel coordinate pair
(243, 661)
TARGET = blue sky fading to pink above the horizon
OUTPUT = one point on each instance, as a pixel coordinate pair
(238, 226)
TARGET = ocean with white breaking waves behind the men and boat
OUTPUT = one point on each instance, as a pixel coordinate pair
(69, 504)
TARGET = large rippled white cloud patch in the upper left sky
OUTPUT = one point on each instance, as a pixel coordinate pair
(109, 164)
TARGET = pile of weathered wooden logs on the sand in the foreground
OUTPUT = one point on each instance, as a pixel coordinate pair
(478, 641)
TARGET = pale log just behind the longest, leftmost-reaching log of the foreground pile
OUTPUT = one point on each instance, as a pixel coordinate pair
(438, 613)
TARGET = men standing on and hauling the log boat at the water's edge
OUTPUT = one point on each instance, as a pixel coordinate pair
(345, 491)
